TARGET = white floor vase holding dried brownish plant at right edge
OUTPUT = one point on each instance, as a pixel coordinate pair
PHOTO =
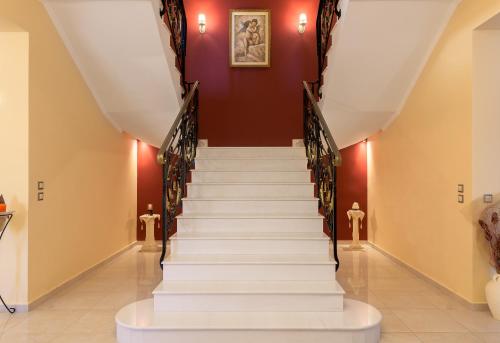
(490, 224)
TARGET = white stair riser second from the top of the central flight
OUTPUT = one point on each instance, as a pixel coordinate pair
(252, 165)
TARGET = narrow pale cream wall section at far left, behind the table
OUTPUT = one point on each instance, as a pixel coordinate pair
(14, 163)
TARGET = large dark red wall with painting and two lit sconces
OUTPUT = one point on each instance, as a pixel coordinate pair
(251, 106)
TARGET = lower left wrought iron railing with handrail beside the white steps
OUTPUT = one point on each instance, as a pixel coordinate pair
(176, 155)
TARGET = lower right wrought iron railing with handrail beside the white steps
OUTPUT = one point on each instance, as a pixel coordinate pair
(323, 158)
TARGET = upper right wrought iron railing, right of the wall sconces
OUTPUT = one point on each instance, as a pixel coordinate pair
(328, 15)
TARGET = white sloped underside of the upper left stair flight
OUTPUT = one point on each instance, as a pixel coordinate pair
(122, 50)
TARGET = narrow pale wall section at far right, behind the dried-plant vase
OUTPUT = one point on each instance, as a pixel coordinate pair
(485, 133)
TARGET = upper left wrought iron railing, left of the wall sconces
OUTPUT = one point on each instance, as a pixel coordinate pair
(174, 16)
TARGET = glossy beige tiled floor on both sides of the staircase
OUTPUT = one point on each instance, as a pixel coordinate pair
(414, 310)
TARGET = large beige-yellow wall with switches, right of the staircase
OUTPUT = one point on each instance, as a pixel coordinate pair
(416, 164)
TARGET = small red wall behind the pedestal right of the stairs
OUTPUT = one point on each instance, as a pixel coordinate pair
(351, 187)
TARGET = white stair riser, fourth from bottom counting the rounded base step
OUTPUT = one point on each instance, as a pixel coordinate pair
(248, 246)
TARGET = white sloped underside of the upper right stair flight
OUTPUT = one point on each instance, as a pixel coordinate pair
(379, 49)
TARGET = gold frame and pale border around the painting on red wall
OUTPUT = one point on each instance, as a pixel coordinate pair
(233, 40)
